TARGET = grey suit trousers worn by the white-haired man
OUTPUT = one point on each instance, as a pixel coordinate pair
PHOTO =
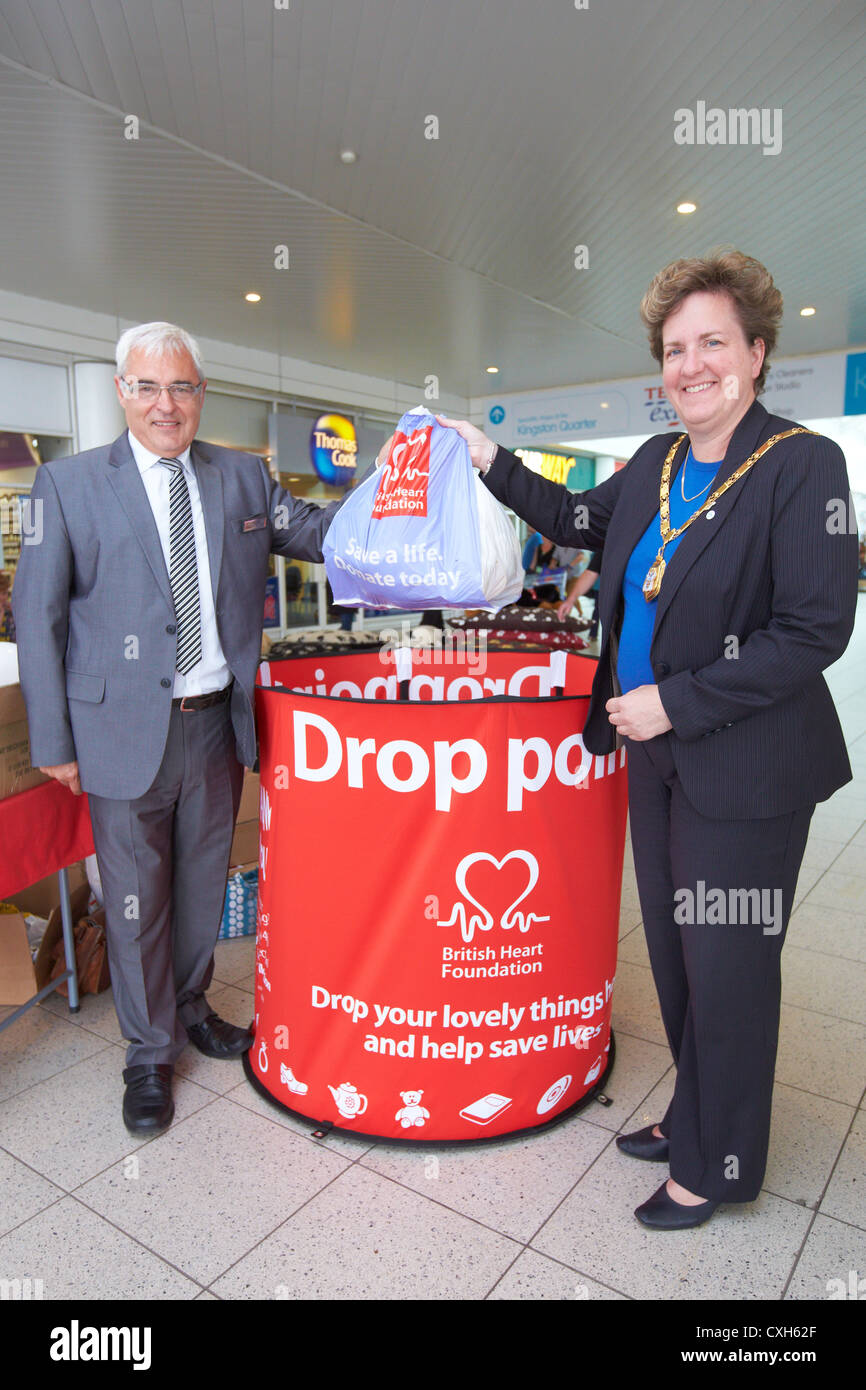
(163, 862)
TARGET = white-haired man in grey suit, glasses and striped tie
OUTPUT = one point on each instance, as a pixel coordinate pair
(140, 628)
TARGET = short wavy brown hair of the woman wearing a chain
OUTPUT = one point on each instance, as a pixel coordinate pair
(744, 280)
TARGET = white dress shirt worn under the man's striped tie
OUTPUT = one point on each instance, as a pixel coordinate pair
(212, 672)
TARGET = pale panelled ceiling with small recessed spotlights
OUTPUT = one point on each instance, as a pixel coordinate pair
(155, 154)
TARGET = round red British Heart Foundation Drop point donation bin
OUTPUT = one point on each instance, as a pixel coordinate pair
(439, 893)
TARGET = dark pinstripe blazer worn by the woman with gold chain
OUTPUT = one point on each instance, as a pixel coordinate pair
(755, 733)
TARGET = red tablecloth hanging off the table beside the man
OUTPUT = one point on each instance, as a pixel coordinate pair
(41, 832)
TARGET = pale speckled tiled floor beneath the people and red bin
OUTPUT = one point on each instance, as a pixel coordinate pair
(238, 1202)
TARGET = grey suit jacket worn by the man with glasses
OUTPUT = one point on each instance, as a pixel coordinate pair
(95, 618)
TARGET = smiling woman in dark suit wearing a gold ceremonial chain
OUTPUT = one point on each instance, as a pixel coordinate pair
(729, 586)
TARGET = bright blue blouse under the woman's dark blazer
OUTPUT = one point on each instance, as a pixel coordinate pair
(639, 621)
